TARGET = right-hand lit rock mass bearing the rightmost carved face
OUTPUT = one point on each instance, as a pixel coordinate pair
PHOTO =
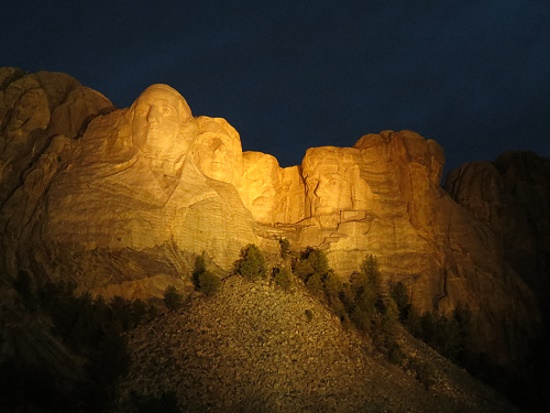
(419, 234)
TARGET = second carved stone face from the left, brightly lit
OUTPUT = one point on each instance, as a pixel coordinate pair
(218, 151)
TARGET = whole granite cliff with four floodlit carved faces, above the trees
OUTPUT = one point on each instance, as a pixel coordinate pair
(125, 199)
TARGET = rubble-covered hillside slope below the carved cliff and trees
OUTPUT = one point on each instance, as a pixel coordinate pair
(252, 348)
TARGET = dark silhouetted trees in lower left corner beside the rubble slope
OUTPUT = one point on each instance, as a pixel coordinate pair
(91, 330)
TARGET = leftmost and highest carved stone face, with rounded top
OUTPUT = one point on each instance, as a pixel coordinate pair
(158, 118)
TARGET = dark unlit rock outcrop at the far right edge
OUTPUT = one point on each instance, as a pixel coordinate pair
(511, 197)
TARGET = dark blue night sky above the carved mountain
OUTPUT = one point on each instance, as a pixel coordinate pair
(290, 74)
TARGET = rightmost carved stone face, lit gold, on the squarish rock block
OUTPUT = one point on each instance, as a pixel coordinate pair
(333, 181)
